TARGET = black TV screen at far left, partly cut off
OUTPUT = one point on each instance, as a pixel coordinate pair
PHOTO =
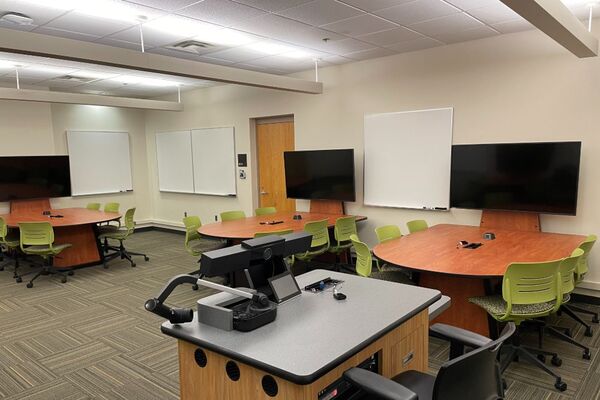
(34, 177)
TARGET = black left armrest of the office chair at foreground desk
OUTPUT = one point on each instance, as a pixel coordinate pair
(379, 386)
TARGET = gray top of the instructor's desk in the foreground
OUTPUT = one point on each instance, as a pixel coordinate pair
(314, 333)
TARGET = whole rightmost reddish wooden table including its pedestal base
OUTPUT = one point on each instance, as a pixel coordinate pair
(463, 273)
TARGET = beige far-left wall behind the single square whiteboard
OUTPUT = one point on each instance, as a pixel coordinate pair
(38, 128)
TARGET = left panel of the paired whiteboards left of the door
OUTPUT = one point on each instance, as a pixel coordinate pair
(175, 166)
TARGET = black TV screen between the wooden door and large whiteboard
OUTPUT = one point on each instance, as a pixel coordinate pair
(320, 175)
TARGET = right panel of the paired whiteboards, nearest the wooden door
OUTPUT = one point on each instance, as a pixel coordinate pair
(213, 154)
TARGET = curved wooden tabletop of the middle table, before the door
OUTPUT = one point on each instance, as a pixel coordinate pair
(246, 228)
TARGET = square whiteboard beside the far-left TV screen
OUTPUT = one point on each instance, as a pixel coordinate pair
(100, 162)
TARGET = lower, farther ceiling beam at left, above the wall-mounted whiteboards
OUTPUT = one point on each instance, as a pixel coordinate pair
(45, 96)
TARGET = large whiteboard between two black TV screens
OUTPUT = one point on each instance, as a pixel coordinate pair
(407, 159)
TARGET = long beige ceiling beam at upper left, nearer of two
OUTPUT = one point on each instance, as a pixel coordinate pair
(36, 44)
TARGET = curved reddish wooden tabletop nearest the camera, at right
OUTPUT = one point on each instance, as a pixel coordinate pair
(434, 250)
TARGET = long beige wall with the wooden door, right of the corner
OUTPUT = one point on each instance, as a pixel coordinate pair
(520, 87)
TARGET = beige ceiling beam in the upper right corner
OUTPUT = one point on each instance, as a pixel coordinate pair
(554, 19)
